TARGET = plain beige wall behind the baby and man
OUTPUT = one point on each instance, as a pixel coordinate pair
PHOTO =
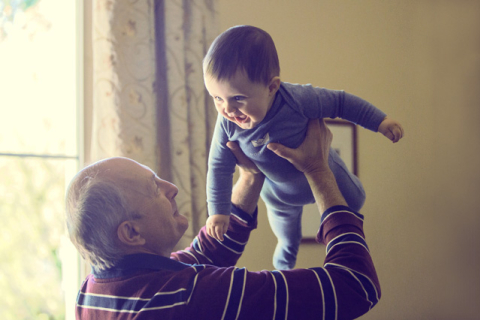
(419, 61)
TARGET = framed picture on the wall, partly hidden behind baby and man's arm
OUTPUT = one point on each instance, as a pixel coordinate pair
(345, 144)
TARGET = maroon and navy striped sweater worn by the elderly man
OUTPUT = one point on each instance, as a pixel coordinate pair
(201, 282)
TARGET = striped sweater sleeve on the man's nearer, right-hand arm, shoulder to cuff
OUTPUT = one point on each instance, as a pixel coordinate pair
(346, 287)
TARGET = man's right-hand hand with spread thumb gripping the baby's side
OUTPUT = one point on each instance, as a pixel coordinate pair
(312, 154)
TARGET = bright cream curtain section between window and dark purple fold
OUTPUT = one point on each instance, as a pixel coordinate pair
(123, 74)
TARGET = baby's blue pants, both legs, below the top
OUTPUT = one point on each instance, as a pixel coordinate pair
(285, 216)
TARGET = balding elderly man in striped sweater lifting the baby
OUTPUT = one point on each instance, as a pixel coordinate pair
(124, 220)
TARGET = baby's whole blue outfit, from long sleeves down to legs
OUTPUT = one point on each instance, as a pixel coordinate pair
(286, 189)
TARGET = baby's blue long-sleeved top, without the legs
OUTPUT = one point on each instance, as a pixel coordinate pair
(286, 123)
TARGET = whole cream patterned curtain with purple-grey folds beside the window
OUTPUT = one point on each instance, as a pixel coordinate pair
(148, 100)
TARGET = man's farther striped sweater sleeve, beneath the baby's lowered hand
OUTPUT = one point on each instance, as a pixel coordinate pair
(207, 250)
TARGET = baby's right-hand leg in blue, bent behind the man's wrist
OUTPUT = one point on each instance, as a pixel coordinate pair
(348, 183)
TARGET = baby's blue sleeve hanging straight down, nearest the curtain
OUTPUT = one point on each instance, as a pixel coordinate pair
(221, 166)
